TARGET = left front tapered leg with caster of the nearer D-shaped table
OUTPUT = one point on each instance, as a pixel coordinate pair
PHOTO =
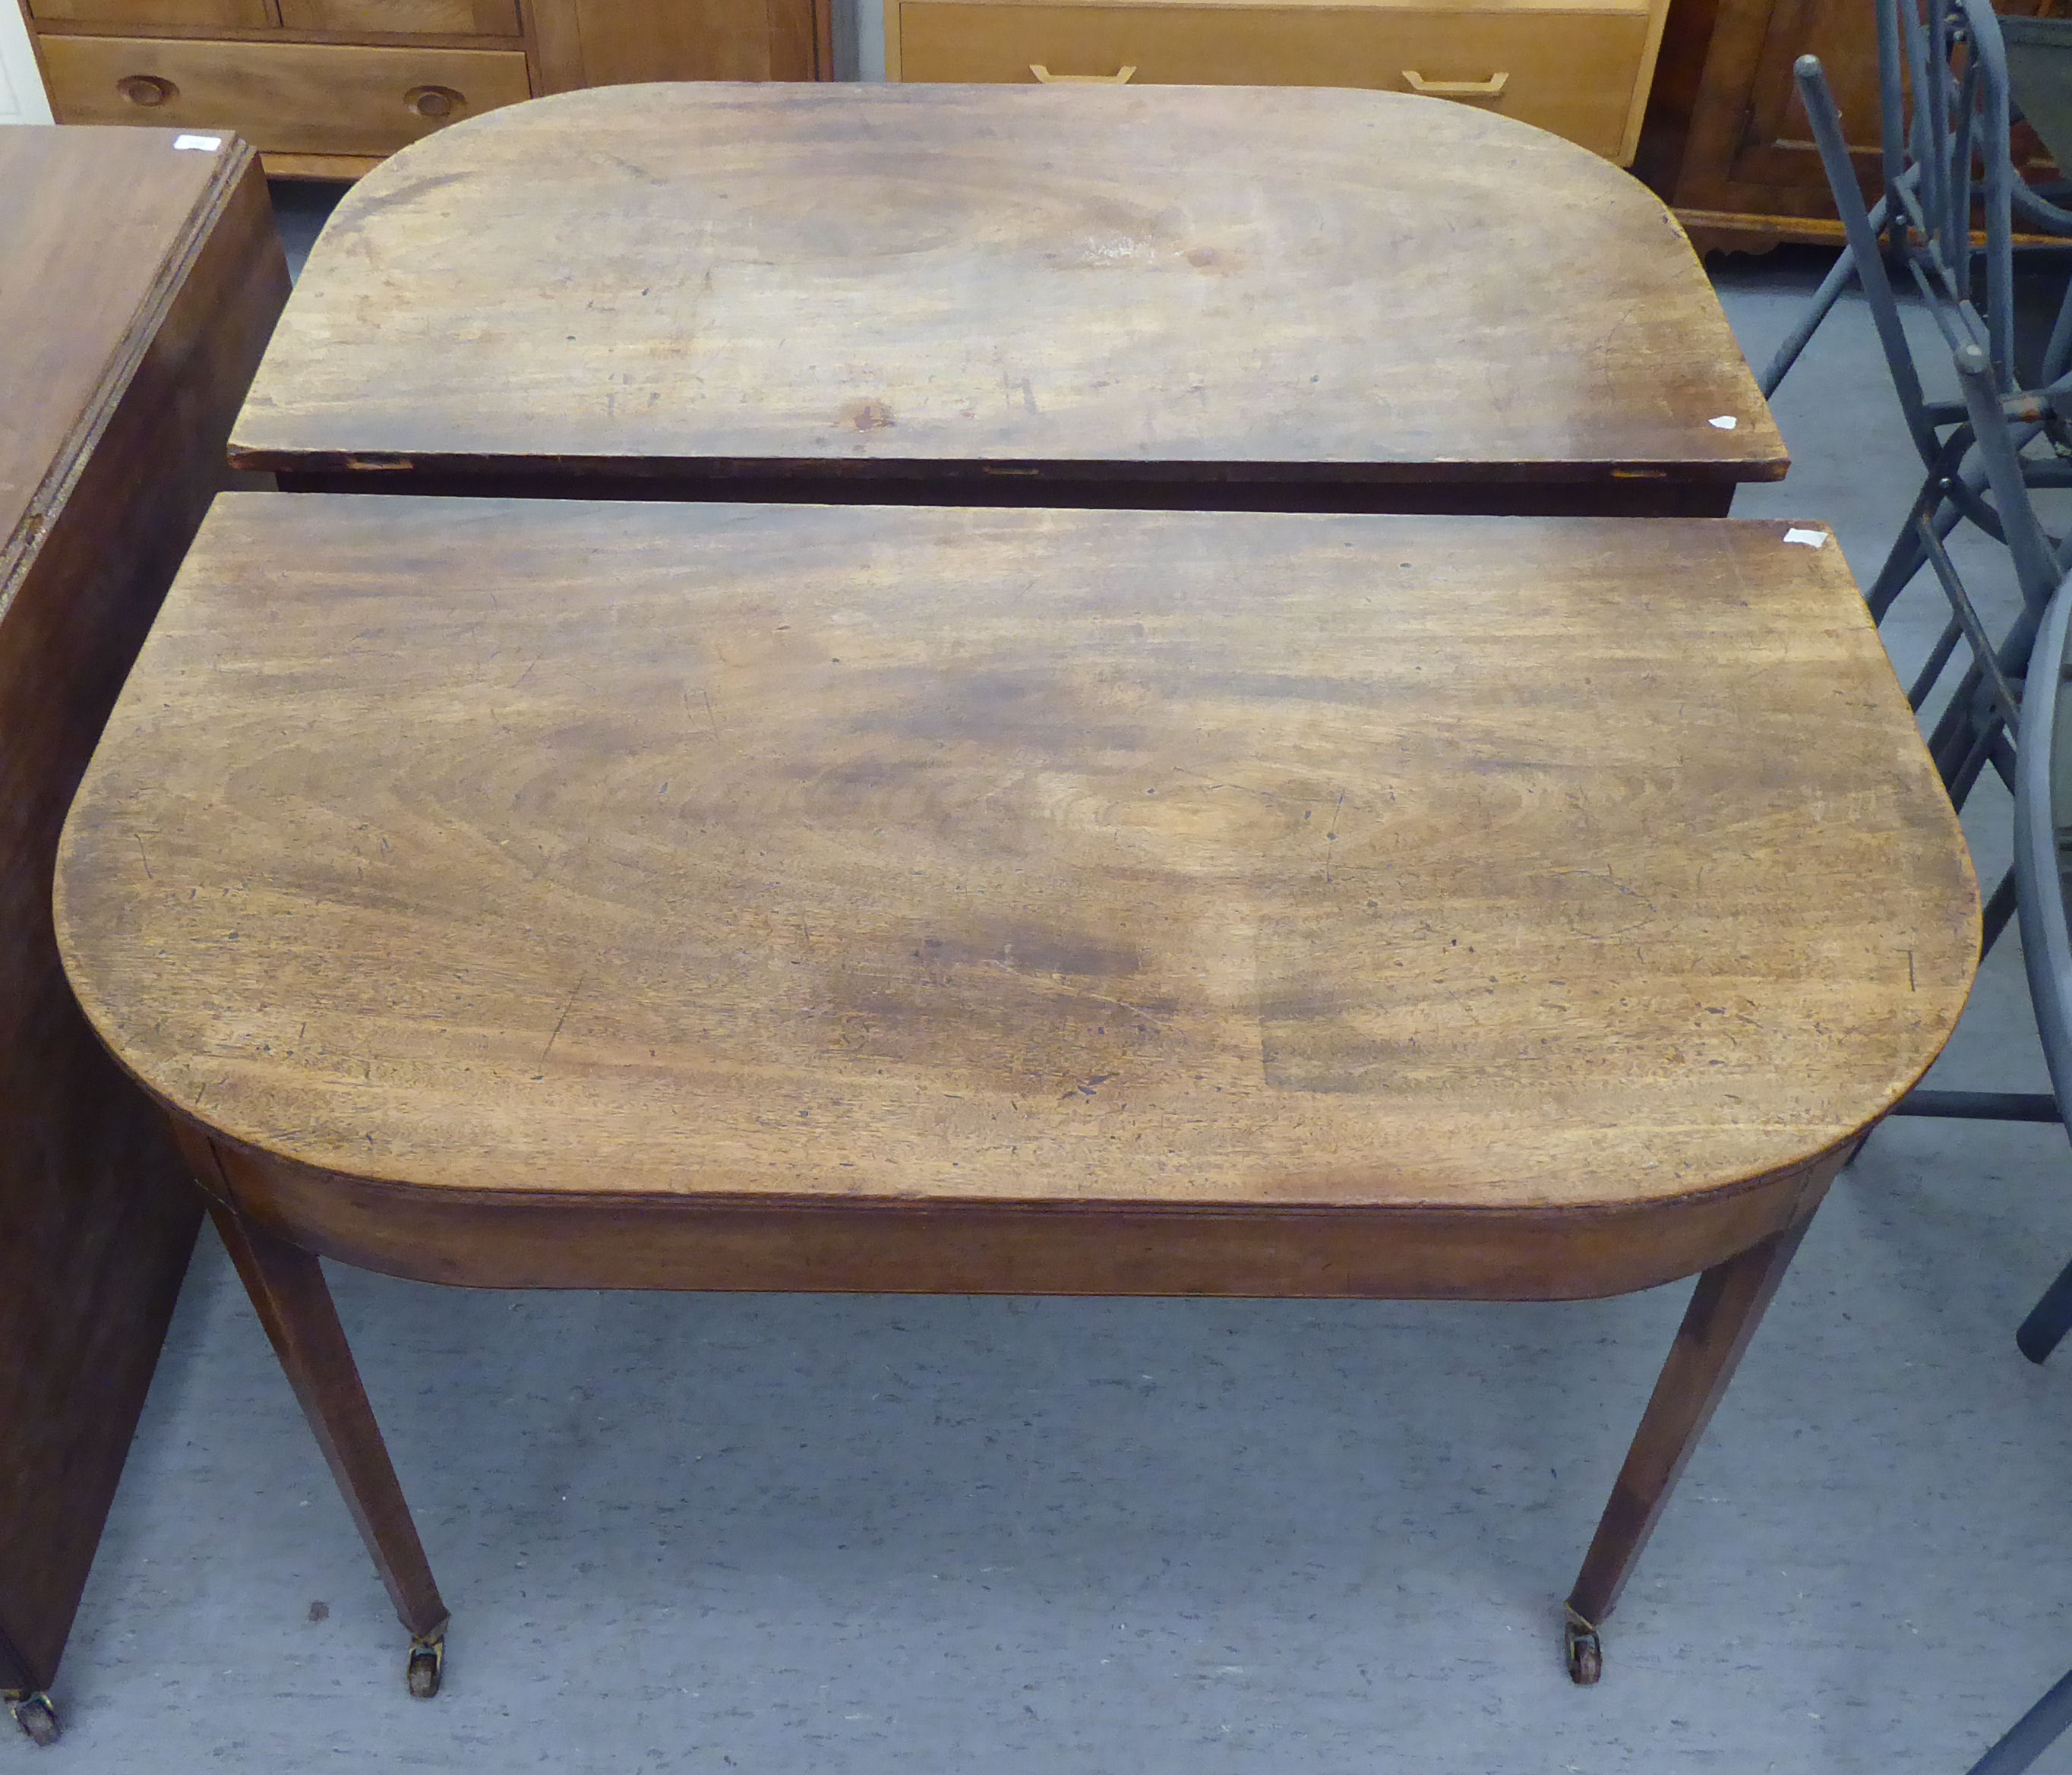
(295, 1306)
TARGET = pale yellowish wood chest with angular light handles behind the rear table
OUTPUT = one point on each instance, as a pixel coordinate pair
(1574, 67)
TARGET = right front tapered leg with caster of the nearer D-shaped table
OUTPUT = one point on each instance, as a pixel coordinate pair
(1723, 1316)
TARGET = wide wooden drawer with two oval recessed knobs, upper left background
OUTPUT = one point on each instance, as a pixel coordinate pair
(283, 98)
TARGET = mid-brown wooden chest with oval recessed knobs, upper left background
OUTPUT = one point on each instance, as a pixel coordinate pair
(328, 88)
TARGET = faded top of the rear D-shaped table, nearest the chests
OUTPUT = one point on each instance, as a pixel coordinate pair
(851, 279)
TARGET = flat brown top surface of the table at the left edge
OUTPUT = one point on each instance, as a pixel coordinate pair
(80, 303)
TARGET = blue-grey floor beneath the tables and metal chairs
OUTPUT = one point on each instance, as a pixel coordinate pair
(772, 1534)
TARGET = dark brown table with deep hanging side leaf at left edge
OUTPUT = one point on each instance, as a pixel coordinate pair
(136, 295)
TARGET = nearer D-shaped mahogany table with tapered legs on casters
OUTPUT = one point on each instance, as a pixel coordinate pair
(577, 896)
